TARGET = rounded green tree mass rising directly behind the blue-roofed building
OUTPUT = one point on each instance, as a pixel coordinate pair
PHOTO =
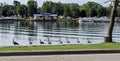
(51, 7)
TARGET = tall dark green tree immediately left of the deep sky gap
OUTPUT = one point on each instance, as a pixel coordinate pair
(32, 7)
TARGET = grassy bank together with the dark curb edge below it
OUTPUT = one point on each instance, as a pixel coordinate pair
(103, 48)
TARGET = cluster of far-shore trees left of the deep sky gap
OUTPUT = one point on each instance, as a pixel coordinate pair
(19, 9)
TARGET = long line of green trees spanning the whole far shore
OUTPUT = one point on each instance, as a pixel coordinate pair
(89, 9)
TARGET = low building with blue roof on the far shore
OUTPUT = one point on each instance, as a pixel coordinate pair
(45, 16)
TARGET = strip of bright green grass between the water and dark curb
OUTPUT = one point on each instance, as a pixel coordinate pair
(62, 47)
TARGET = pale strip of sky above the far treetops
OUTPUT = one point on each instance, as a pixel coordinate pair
(40, 2)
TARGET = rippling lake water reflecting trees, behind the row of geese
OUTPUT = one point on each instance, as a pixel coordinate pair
(22, 31)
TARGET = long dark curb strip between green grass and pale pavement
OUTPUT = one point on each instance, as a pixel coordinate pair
(58, 52)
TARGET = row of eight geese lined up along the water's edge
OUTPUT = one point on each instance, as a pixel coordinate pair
(49, 41)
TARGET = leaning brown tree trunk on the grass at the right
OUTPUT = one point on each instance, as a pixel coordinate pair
(112, 21)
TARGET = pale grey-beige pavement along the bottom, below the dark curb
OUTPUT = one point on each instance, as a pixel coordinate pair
(79, 57)
